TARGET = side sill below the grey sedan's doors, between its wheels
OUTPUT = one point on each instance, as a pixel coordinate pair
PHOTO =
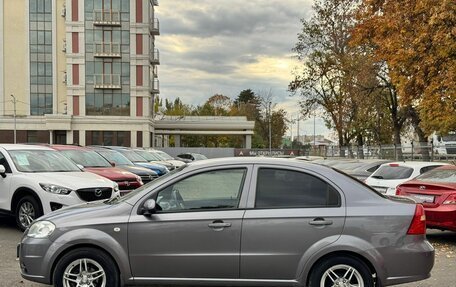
(252, 282)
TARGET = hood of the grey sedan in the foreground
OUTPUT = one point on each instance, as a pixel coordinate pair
(90, 213)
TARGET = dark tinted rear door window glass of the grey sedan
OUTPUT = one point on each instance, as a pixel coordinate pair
(281, 188)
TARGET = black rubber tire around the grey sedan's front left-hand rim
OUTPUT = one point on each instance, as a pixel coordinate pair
(98, 256)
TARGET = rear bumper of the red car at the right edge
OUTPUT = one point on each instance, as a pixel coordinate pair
(442, 217)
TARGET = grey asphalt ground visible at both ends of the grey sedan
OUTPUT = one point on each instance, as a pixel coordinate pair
(443, 274)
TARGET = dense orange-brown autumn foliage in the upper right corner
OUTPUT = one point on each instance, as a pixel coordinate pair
(417, 40)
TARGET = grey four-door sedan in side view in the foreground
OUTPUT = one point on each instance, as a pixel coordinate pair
(234, 222)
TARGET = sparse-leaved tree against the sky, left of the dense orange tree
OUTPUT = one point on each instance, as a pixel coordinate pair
(325, 80)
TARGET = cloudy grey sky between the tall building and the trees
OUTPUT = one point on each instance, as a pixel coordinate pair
(226, 46)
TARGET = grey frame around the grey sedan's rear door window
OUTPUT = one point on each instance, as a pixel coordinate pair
(253, 186)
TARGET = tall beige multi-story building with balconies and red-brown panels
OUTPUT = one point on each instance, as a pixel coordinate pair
(78, 71)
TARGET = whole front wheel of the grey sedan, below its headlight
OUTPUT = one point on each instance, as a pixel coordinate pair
(86, 267)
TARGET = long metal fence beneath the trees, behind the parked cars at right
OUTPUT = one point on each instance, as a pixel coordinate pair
(415, 151)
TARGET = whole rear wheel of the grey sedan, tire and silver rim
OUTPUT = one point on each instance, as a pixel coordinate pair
(340, 271)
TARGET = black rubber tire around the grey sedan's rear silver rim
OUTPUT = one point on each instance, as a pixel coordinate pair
(362, 272)
